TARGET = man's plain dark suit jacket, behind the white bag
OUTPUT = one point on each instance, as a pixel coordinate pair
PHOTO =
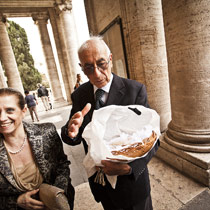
(130, 189)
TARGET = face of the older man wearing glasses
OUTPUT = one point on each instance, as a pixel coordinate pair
(96, 64)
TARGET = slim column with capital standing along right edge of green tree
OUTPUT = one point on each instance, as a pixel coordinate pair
(41, 21)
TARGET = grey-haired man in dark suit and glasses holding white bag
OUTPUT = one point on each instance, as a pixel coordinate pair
(132, 190)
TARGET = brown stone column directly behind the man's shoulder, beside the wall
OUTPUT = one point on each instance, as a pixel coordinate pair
(146, 52)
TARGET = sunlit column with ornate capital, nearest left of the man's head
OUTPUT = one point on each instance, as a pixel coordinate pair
(67, 21)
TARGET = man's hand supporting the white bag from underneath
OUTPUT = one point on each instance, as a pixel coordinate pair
(112, 168)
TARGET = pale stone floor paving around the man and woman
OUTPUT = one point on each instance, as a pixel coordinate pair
(170, 189)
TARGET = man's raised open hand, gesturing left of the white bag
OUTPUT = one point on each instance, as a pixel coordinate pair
(76, 121)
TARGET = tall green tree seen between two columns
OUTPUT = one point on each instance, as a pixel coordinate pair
(30, 76)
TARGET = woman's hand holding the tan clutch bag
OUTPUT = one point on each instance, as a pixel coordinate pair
(25, 201)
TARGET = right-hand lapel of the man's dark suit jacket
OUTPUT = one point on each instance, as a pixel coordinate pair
(116, 92)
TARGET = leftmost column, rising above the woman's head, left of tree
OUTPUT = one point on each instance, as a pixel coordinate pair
(8, 59)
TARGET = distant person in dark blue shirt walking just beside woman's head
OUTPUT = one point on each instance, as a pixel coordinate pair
(31, 104)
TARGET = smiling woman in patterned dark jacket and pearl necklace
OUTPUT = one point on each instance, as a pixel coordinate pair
(30, 154)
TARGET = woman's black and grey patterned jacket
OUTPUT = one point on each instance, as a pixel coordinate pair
(49, 155)
